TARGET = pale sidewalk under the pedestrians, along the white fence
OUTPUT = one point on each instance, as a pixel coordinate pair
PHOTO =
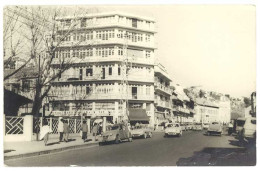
(14, 150)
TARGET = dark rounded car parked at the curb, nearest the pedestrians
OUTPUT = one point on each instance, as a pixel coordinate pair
(117, 133)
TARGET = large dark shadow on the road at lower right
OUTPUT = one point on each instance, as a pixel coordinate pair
(220, 157)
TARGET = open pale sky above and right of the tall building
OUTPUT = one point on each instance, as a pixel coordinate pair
(212, 46)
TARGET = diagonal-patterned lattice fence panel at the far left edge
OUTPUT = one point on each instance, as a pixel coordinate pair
(14, 125)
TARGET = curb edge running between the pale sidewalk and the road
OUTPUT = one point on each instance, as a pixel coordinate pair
(48, 151)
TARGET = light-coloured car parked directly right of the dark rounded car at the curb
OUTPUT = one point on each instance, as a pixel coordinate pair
(141, 131)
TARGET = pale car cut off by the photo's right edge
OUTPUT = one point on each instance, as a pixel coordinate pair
(248, 131)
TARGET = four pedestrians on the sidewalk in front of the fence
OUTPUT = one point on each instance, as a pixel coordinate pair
(63, 129)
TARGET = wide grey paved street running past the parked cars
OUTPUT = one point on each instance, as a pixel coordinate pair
(193, 148)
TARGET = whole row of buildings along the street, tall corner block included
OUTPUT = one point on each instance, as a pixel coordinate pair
(115, 75)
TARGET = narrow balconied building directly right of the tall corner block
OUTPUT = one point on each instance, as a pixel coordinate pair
(162, 94)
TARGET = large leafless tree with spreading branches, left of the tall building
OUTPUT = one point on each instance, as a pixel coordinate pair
(45, 37)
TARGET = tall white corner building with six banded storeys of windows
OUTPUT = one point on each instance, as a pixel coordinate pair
(113, 67)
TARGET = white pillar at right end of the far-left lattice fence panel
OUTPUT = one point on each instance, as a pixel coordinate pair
(28, 127)
